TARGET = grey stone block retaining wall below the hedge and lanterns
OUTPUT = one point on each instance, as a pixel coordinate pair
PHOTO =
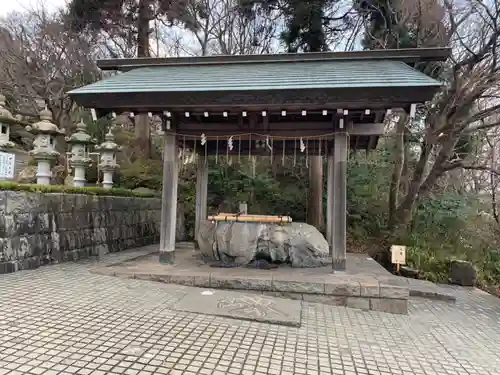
(38, 228)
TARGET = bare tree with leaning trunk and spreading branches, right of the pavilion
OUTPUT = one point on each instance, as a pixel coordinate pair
(469, 104)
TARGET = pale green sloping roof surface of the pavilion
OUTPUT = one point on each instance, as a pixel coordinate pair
(327, 74)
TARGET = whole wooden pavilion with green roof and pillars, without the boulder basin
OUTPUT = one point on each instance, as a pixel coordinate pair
(324, 102)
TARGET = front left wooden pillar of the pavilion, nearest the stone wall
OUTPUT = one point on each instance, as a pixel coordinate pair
(169, 198)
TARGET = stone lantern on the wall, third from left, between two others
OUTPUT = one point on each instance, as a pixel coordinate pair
(80, 142)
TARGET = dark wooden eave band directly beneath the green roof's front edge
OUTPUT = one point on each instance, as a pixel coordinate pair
(347, 98)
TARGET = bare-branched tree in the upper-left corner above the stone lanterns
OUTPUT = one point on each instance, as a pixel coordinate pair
(40, 59)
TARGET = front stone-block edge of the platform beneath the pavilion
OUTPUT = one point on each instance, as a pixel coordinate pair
(364, 292)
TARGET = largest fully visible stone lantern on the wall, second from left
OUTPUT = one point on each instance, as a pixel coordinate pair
(44, 151)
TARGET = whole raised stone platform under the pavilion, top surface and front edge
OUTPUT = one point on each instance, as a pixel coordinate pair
(364, 285)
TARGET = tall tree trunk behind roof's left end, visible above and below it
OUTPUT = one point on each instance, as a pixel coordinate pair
(142, 127)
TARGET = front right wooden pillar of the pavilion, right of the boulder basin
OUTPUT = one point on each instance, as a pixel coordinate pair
(339, 227)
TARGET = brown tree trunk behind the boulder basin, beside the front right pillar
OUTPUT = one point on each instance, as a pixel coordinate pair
(315, 212)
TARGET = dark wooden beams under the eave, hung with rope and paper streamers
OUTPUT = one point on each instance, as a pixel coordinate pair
(268, 133)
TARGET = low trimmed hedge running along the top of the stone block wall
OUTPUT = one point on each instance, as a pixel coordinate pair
(89, 190)
